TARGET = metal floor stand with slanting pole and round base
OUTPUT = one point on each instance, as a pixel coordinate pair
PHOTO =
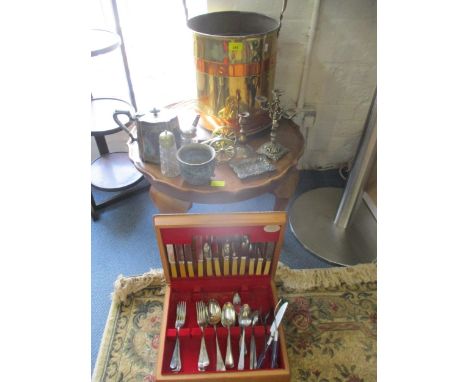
(337, 225)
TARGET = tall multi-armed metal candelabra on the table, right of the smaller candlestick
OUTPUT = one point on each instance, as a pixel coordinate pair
(273, 150)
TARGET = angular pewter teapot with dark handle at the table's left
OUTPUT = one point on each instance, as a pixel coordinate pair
(148, 128)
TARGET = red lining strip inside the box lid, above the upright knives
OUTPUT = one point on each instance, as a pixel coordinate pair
(184, 235)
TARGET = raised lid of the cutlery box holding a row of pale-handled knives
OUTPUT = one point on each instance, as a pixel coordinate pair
(220, 245)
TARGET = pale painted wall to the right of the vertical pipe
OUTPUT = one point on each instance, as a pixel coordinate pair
(342, 79)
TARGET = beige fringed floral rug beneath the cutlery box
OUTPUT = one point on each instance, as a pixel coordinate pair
(330, 325)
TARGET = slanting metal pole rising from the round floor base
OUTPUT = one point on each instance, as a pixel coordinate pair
(365, 157)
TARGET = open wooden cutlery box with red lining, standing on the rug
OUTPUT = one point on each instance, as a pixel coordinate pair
(192, 277)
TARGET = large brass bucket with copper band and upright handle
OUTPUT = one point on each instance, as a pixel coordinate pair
(235, 59)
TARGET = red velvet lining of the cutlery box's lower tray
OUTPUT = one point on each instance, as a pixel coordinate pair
(254, 290)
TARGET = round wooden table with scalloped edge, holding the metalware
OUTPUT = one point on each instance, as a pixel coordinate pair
(174, 195)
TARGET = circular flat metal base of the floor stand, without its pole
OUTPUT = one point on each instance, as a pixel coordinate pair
(311, 219)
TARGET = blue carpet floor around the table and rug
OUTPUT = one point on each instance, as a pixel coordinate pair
(123, 242)
